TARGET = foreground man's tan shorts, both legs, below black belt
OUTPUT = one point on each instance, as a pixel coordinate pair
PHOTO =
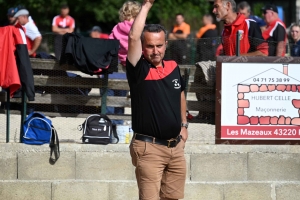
(160, 171)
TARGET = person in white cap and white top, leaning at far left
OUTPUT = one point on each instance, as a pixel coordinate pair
(33, 36)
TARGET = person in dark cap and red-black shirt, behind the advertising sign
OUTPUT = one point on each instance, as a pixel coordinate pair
(275, 33)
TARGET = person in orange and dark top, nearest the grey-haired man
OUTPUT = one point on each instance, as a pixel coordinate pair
(207, 39)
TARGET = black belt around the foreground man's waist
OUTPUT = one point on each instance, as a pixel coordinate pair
(169, 143)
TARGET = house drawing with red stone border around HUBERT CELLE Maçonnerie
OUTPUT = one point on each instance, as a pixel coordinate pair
(269, 98)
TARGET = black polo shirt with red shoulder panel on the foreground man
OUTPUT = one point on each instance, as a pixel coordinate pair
(155, 98)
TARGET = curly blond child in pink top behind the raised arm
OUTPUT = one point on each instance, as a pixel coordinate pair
(127, 14)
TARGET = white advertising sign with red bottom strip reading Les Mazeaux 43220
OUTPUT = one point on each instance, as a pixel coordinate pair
(260, 101)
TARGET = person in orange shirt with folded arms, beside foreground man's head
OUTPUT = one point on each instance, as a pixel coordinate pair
(179, 34)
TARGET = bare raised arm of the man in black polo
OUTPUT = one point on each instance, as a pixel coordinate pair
(134, 38)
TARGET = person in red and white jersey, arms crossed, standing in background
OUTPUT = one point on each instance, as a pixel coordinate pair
(61, 25)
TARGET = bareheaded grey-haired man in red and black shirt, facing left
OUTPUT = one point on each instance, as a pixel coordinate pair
(251, 40)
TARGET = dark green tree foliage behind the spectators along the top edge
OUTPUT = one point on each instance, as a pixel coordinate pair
(88, 13)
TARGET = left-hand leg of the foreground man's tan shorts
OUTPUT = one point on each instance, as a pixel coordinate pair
(150, 161)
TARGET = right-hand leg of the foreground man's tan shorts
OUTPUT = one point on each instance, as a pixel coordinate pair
(173, 181)
